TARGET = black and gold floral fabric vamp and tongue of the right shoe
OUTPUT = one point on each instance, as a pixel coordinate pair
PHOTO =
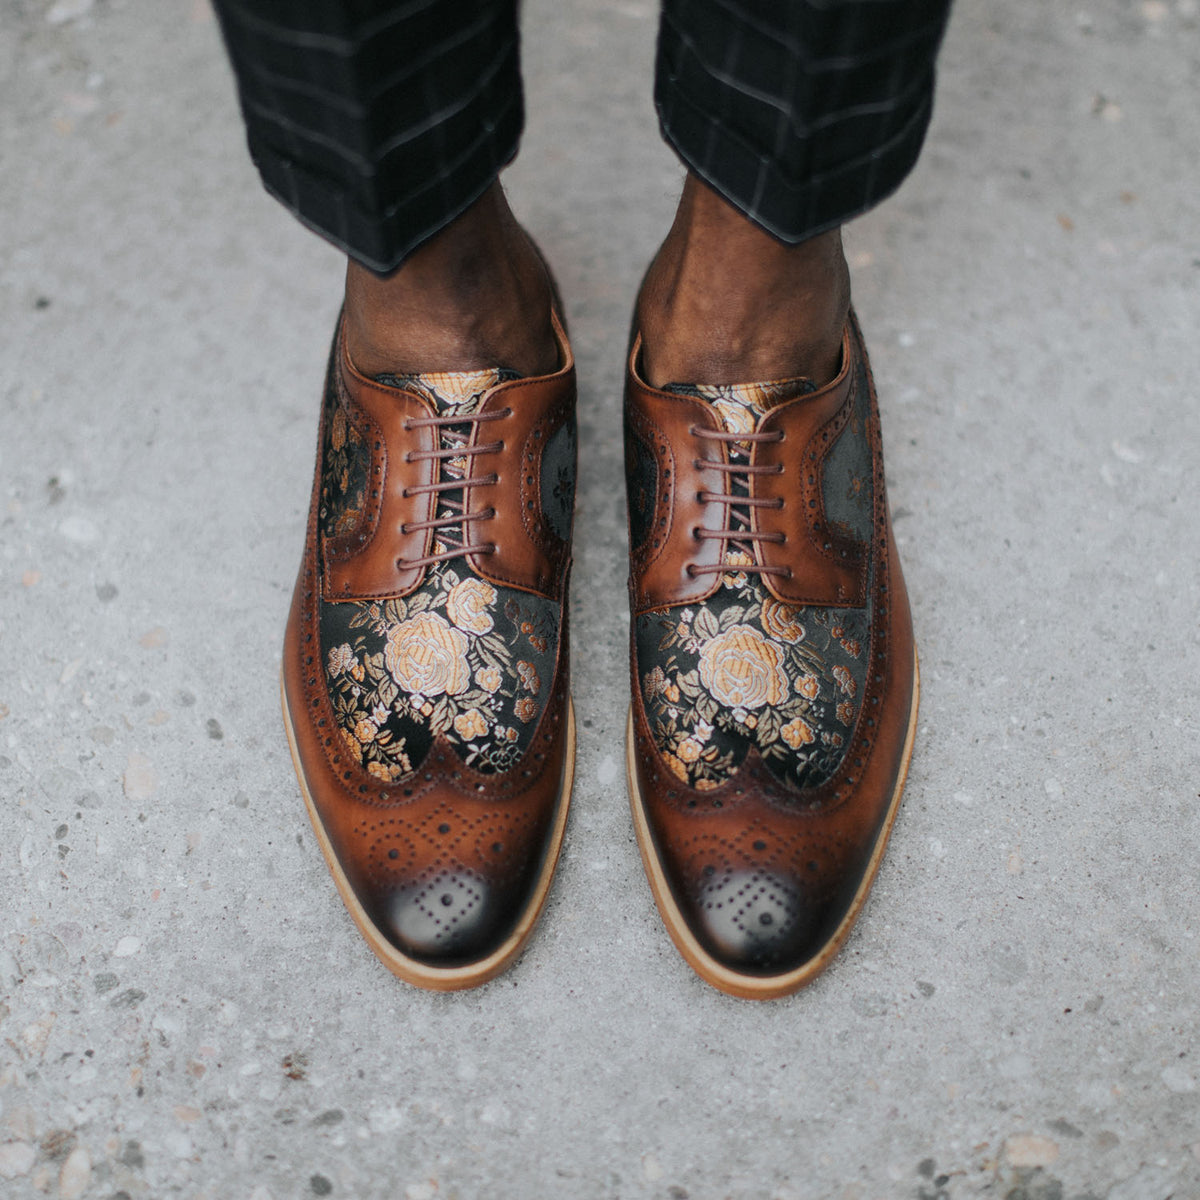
(745, 670)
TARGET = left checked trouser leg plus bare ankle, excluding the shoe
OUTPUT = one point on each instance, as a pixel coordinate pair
(398, 165)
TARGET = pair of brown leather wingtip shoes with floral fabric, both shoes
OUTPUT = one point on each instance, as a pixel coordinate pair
(427, 663)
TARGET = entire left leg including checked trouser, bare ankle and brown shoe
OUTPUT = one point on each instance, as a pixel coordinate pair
(425, 665)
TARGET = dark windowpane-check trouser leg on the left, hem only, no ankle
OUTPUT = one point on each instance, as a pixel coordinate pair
(377, 122)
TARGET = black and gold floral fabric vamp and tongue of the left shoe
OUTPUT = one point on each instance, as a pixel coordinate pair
(459, 657)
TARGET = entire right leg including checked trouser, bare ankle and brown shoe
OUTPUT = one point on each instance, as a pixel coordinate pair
(773, 671)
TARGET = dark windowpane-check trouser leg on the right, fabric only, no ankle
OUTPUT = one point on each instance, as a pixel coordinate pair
(802, 113)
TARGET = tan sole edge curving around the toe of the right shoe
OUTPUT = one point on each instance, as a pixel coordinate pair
(722, 977)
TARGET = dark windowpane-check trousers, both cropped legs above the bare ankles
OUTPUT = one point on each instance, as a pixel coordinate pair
(379, 122)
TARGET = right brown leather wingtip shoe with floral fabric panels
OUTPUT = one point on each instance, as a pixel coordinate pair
(775, 675)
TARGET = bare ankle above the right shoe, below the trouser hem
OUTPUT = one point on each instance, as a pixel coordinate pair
(727, 303)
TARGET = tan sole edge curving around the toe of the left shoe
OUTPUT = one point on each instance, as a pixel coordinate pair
(421, 974)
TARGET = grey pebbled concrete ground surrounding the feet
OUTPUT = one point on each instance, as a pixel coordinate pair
(185, 1007)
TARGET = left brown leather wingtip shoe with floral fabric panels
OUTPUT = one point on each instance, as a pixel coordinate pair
(427, 667)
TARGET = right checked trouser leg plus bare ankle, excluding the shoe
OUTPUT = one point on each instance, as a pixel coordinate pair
(799, 117)
